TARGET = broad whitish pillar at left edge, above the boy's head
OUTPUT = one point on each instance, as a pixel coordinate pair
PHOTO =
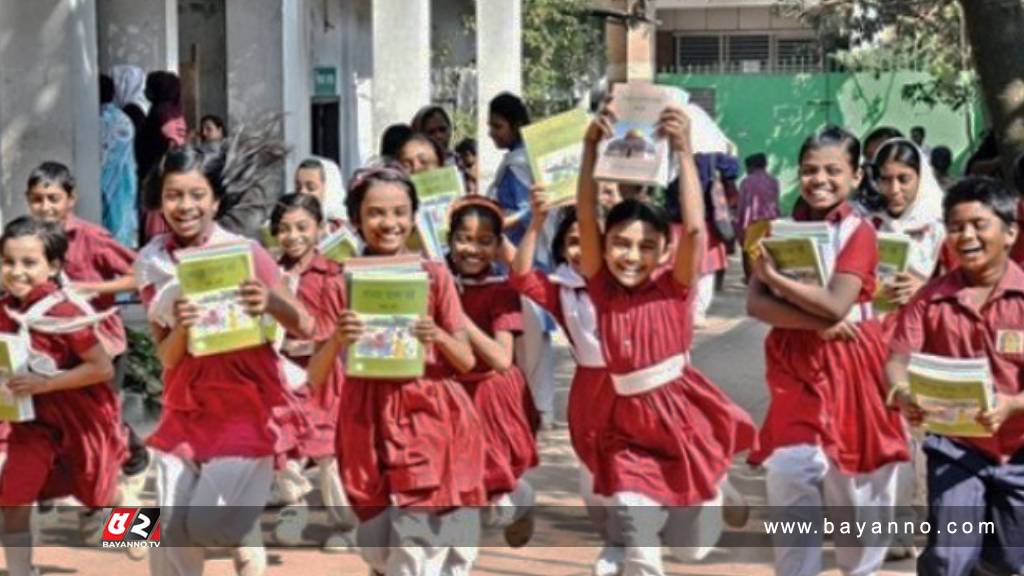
(50, 102)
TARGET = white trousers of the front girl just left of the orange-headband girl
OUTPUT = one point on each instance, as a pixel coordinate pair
(403, 543)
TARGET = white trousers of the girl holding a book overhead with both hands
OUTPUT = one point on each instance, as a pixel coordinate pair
(644, 526)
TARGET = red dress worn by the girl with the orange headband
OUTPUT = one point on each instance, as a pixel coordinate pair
(503, 400)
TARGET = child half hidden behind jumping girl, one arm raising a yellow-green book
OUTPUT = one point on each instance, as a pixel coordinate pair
(564, 295)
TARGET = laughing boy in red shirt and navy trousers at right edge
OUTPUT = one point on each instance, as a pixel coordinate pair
(977, 311)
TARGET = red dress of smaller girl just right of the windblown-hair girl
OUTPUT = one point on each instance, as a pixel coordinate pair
(322, 292)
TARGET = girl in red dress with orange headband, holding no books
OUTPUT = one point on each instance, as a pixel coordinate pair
(494, 319)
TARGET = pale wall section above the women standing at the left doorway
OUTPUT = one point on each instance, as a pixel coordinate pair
(144, 33)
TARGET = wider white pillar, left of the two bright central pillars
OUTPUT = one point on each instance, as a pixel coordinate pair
(402, 61)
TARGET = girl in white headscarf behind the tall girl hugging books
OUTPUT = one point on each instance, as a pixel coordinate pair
(914, 208)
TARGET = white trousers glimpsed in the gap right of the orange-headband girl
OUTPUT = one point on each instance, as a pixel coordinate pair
(536, 358)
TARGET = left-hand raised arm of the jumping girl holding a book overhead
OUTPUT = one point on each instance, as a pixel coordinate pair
(590, 232)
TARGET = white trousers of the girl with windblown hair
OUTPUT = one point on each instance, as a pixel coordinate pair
(215, 505)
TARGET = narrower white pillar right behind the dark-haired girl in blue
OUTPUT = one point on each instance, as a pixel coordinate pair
(499, 66)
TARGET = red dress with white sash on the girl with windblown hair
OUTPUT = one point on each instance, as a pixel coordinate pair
(232, 404)
